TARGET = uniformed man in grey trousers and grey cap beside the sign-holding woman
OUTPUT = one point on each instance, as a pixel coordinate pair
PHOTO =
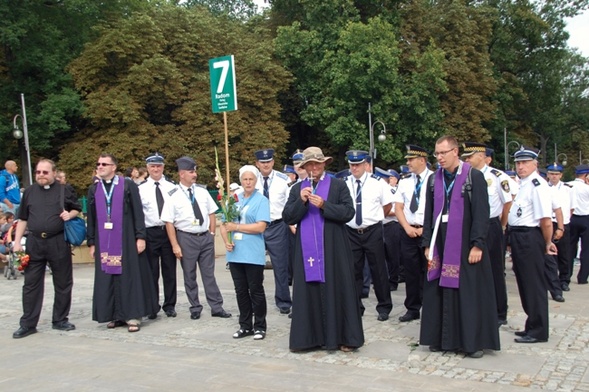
(189, 214)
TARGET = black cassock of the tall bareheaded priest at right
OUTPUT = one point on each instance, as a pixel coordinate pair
(462, 319)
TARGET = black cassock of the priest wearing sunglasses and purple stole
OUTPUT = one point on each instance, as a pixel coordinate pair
(130, 295)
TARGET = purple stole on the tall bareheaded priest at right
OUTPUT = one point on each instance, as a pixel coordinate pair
(447, 267)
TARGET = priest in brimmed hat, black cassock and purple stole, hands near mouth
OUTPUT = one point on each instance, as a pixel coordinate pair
(326, 307)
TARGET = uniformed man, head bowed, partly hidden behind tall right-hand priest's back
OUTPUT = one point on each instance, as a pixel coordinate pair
(500, 200)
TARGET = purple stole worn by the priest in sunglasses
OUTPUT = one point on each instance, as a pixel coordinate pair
(110, 243)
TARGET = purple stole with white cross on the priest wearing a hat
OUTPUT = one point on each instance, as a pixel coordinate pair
(311, 227)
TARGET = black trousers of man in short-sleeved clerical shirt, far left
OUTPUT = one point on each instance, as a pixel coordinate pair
(58, 254)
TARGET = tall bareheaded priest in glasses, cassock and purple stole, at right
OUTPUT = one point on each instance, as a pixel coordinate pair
(459, 309)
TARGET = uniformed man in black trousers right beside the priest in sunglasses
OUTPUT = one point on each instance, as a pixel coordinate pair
(154, 191)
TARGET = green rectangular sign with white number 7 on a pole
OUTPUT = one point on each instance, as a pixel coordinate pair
(223, 90)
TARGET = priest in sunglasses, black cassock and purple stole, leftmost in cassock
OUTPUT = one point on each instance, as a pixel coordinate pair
(123, 288)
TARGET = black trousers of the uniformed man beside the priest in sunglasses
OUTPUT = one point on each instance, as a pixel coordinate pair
(159, 249)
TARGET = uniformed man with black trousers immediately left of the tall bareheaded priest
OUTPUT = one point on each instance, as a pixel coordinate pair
(409, 208)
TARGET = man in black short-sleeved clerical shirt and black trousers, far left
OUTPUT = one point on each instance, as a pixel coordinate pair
(43, 213)
